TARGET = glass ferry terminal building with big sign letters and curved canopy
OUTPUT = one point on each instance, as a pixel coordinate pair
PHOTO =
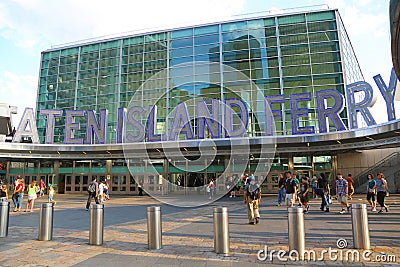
(279, 56)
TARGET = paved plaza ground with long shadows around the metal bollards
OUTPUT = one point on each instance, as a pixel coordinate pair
(188, 235)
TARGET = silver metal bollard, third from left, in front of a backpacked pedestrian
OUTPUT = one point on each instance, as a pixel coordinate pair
(96, 229)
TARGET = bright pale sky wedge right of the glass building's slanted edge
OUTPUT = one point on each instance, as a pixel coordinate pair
(368, 30)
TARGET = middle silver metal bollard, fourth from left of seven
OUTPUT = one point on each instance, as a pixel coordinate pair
(154, 228)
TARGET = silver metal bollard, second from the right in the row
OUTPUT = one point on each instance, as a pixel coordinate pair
(297, 236)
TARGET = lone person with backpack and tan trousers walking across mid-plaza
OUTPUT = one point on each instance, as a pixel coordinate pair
(252, 198)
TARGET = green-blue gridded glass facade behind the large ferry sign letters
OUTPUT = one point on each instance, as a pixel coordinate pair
(286, 54)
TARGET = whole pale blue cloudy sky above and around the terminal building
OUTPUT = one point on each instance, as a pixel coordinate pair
(28, 27)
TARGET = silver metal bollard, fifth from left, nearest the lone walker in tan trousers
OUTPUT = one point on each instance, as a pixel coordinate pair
(221, 231)
